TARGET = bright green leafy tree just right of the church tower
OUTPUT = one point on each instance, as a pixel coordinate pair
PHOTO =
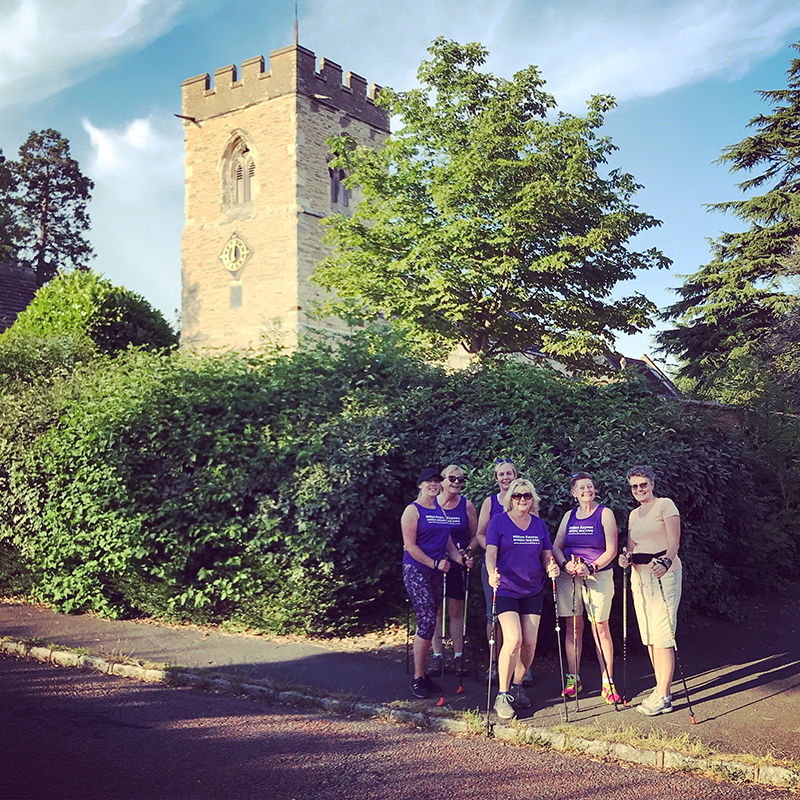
(487, 222)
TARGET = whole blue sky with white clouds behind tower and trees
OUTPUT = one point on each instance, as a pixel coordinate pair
(107, 74)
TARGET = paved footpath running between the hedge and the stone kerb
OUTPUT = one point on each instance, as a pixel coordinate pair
(743, 678)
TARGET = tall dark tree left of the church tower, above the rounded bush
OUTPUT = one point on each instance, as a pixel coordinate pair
(52, 200)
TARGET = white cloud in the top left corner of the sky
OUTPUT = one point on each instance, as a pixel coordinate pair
(47, 45)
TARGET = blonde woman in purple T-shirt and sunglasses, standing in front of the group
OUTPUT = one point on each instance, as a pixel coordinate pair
(519, 555)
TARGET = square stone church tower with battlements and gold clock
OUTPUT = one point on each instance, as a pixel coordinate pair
(258, 182)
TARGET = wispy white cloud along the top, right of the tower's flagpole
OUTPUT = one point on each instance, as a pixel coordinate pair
(629, 48)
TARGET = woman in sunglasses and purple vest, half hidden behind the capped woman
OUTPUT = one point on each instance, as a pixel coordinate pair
(463, 520)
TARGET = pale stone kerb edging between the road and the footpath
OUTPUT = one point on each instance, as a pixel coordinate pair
(519, 732)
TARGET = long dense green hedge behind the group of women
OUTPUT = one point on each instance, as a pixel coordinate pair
(268, 488)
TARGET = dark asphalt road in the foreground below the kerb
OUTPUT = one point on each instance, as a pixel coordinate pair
(75, 734)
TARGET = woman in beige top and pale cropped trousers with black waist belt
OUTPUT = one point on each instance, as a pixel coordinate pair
(654, 536)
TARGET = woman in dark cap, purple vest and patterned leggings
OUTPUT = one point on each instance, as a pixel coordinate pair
(427, 545)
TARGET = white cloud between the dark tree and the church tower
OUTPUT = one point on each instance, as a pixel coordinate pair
(137, 206)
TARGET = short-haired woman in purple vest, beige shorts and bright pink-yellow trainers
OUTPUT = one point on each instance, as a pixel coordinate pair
(585, 549)
